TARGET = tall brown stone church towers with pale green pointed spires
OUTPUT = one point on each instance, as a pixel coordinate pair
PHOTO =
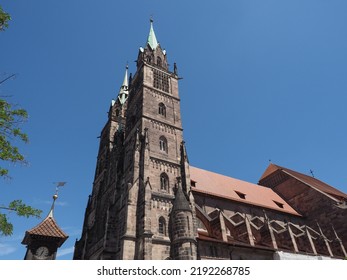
(141, 155)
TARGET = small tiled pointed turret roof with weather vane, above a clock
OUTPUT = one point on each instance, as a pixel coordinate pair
(47, 228)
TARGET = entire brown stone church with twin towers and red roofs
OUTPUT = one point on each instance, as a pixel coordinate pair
(147, 202)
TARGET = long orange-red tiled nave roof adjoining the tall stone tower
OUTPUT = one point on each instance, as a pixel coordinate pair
(228, 188)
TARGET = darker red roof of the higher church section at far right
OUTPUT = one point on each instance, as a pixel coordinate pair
(308, 180)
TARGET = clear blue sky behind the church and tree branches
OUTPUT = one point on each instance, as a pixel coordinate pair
(263, 80)
